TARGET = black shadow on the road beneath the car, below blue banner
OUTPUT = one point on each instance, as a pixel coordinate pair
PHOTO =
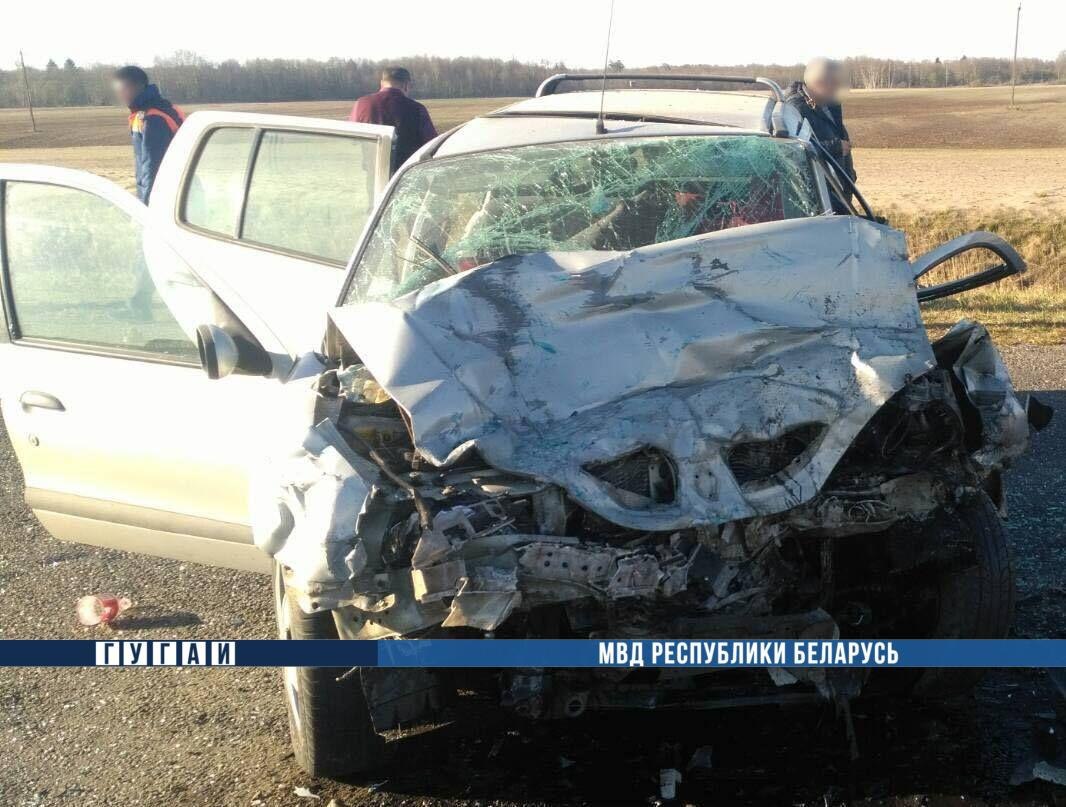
(966, 748)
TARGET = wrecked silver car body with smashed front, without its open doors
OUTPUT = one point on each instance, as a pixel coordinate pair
(626, 377)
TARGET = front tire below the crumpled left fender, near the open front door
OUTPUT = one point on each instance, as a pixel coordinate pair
(330, 724)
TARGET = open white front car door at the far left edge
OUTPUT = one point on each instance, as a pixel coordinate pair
(123, 440)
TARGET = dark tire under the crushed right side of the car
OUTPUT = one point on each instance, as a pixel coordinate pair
(976, 602)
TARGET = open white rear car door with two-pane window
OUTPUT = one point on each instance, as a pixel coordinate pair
(276, 205)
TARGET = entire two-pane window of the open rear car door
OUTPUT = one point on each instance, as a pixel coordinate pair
(309, 193)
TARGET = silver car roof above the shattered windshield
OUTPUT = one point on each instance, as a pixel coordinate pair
(571, 117)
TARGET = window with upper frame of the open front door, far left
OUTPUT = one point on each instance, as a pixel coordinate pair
(84, 273)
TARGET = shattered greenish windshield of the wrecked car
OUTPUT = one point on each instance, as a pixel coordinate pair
(454, 215)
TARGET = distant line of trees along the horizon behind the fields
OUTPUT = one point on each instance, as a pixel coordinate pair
(187, 78)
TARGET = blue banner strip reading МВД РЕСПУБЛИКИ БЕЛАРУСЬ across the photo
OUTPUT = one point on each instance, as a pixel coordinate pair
(659, 654)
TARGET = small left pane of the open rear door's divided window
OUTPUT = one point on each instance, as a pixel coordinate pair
(217, 187)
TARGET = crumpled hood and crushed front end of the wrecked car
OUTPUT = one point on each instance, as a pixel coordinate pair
(783, 461)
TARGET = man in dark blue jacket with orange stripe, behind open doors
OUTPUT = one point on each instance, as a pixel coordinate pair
(154, 121)
